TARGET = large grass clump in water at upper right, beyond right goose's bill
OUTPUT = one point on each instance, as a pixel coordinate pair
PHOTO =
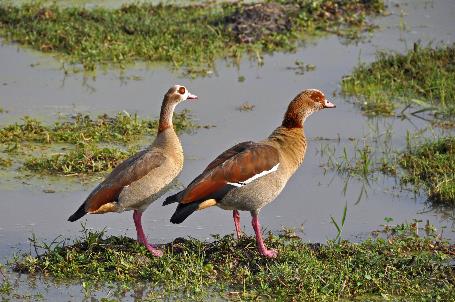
(424, 76)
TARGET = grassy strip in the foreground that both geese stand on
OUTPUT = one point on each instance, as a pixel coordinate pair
(400, 268)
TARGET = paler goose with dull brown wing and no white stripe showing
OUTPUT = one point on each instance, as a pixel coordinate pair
(145, 176)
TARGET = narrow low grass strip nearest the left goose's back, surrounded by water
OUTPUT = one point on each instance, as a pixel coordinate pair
(85, 159)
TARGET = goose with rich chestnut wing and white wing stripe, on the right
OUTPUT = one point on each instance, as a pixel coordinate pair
(249, 175)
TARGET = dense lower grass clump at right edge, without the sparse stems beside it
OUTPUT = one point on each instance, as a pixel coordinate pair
(432, 165)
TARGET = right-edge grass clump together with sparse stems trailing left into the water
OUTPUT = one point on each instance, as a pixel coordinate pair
(428, 164)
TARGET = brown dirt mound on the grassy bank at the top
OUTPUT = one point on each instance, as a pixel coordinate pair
(251, 23)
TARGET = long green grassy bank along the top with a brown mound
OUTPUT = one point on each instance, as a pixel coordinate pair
(192, 36)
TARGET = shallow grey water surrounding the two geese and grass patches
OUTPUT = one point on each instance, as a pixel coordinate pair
(311, 196)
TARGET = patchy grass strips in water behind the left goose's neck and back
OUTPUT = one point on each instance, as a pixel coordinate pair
(84, 145)
